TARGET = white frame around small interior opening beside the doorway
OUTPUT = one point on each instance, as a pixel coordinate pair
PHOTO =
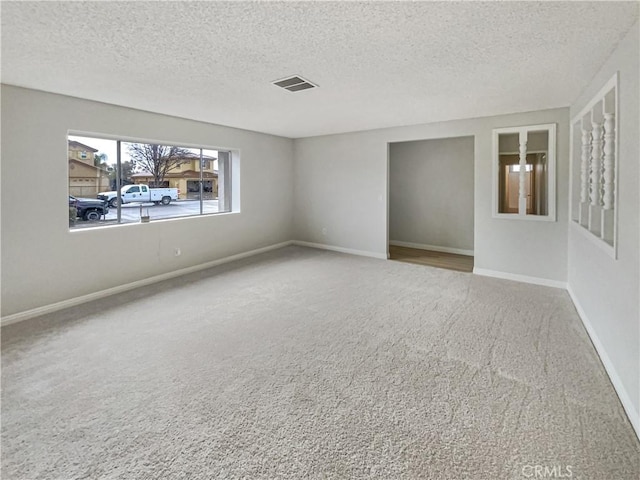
(552, 166)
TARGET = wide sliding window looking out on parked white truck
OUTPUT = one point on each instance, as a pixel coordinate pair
(134, 181)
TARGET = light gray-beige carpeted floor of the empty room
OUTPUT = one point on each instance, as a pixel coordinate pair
(302, 363)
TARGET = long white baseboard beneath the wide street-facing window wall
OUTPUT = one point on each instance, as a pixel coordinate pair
(17, 317)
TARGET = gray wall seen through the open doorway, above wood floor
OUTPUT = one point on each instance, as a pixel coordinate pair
(431, 193)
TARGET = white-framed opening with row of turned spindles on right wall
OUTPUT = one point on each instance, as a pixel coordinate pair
(594, 168)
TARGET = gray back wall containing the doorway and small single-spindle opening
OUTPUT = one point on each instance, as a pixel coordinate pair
(340, 184)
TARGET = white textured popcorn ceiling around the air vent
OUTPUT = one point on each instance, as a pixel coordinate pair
(378, 64)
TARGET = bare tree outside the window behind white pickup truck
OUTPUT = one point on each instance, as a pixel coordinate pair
(158, 160)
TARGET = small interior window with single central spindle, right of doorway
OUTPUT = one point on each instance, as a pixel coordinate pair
(524, 172)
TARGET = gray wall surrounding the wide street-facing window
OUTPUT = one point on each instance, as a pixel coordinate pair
(43, 262)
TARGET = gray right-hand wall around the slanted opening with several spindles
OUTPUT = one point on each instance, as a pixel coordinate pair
(607, 289)
